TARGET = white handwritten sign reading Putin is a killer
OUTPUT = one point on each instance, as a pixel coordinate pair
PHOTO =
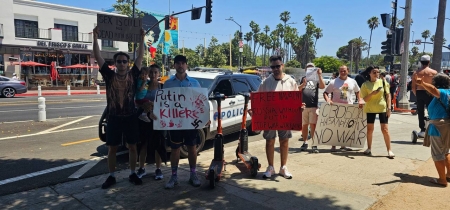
(181, 108)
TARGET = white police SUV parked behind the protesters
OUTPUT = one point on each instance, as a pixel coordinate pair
(227, 83)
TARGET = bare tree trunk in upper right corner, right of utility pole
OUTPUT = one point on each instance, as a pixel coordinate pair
(439, 37)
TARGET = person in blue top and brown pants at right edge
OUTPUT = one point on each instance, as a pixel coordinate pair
(437, 134)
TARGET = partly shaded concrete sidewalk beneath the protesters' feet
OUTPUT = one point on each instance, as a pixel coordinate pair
(342, 180)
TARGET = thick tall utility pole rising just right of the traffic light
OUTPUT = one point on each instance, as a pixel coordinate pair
(403, 102)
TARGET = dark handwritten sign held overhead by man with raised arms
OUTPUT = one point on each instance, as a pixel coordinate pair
(119, 28)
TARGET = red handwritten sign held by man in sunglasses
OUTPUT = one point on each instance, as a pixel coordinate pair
(277, 110)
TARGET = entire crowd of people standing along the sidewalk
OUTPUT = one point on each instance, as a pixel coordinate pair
(130, 94)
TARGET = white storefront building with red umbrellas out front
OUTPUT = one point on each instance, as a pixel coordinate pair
(45, 33)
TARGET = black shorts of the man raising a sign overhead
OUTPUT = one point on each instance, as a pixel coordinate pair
(122, 126)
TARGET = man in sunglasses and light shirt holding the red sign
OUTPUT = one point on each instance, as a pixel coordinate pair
(277, 81)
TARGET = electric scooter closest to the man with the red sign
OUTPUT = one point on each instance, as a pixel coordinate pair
(251, 162)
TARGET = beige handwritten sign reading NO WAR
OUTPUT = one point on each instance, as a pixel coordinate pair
(341, 125)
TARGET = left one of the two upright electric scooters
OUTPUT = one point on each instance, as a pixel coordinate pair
(218, 163)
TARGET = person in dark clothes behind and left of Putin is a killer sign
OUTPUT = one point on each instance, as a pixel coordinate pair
(150, 139)
